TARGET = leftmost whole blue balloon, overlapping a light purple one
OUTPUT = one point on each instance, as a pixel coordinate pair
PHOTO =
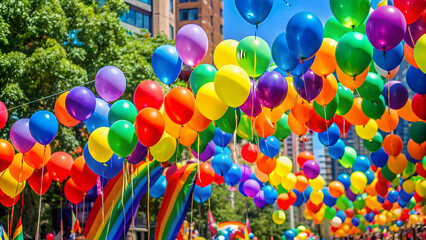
(43, 126)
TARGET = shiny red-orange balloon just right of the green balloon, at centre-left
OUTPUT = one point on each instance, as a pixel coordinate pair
(149, 126)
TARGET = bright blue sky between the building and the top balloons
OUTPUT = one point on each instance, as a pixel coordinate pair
(235, 27)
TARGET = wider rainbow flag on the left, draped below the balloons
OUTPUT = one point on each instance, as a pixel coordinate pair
(117, 219)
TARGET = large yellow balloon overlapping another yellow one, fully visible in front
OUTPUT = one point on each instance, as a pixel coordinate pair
(232, 85)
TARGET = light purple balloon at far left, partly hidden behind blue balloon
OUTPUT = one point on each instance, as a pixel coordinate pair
(20, 135)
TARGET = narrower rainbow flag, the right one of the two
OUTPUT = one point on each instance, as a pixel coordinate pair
(176, 202)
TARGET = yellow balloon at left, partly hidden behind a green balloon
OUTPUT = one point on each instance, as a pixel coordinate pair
(98, 145)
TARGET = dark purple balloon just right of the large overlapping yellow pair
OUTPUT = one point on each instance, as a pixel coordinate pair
(271, 89)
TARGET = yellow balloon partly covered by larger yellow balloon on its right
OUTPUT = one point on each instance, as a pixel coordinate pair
(209, 103)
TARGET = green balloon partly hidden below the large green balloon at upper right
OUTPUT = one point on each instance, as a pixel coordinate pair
(372, 87)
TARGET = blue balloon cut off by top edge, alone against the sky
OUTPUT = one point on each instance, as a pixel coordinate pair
(254, 11)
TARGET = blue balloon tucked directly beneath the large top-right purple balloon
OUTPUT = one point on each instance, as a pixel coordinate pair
(389, 60)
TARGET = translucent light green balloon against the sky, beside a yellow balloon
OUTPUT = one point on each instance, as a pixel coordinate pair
(253, 51)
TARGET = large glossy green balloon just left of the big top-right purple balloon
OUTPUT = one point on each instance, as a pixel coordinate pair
(354, 53)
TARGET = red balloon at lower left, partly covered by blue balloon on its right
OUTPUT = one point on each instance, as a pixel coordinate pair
(82, 175)
